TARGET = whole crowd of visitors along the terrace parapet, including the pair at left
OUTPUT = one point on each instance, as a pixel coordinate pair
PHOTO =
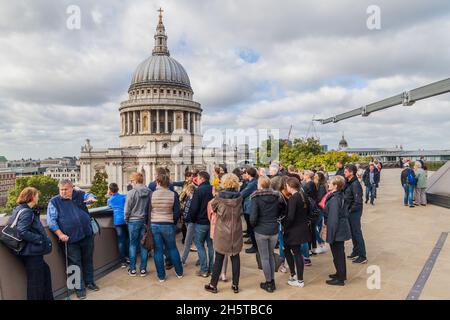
(296, 212)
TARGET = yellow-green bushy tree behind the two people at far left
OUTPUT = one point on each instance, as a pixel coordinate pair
(48, 187)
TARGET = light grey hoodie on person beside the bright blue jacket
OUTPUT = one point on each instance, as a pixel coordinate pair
(136, 206)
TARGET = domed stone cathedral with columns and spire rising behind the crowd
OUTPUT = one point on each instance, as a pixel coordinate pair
(160, 123)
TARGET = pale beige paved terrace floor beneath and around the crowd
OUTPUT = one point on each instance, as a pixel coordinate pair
(399, 240)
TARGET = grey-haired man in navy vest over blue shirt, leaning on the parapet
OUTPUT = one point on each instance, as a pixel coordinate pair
(68, 217)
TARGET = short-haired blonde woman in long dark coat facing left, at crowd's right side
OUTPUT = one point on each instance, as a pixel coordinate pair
(337, 229)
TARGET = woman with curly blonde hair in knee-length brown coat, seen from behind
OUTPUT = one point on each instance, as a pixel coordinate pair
(228, 239)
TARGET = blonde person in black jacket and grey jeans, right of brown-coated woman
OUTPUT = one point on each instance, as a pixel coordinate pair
(266, 208)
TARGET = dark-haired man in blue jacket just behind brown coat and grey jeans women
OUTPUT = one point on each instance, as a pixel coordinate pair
(250, 175)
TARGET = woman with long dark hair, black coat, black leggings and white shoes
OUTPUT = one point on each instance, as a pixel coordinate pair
(296, 232)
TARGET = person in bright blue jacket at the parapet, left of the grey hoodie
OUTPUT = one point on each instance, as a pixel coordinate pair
(117, 202)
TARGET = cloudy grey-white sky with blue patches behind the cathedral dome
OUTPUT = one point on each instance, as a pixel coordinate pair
(252, 64)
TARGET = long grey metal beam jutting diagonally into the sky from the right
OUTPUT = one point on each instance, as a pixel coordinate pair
(407, 98)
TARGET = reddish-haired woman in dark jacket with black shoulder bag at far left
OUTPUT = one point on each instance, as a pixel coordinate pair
(30, 230)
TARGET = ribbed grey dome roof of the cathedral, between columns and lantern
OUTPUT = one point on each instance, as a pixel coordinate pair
(161, 69)
